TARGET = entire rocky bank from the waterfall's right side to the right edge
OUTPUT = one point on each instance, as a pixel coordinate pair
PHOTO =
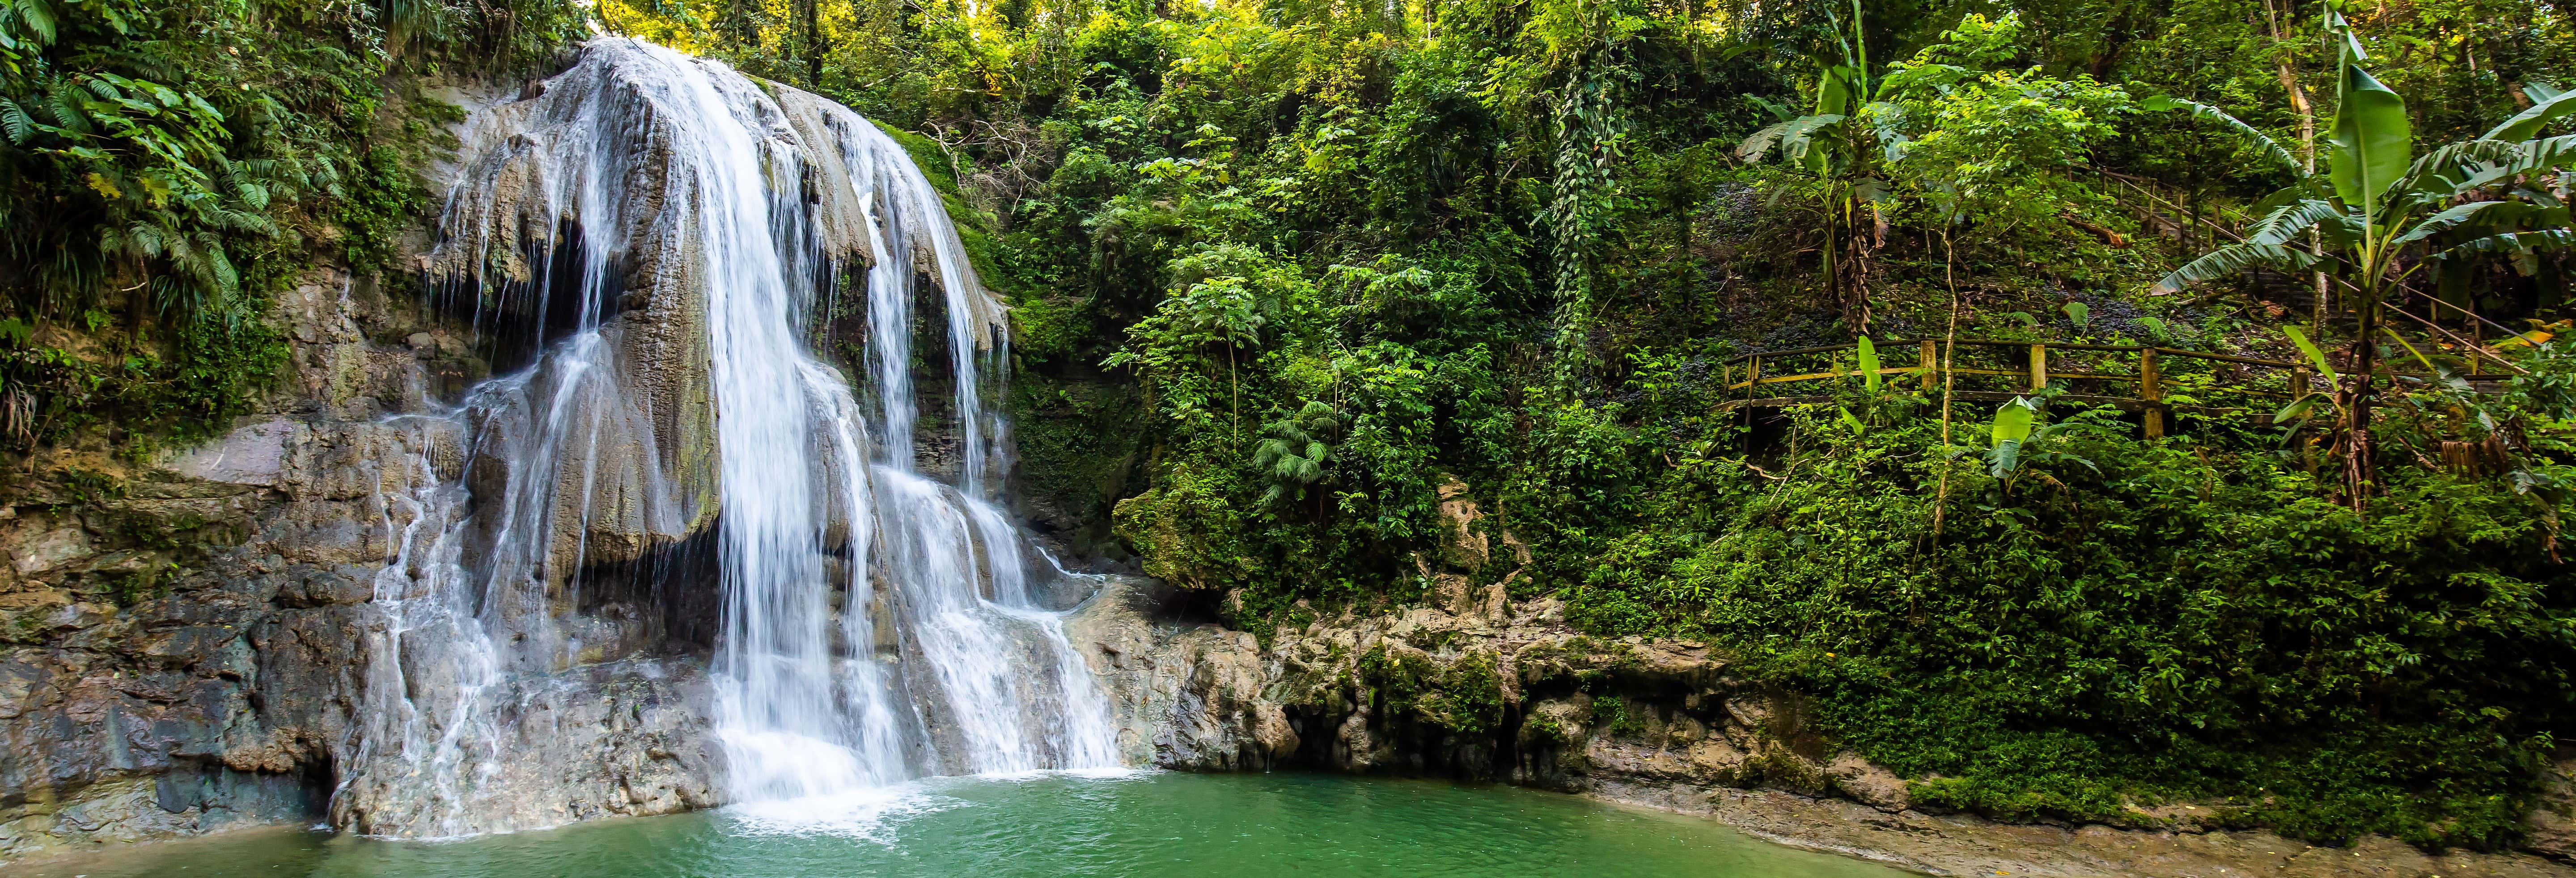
(1629, 722)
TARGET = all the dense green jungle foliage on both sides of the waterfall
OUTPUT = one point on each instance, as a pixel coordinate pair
(1292, 274)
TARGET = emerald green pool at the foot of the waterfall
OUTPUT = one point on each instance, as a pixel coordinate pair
(1140, 825)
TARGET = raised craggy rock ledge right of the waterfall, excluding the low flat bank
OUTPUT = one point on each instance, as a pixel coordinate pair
(1467, 694)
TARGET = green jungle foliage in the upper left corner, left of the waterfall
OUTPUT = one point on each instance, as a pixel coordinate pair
(169, 166)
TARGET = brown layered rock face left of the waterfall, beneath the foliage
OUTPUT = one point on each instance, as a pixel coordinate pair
(187, 635)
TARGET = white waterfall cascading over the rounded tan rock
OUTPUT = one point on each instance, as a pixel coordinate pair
(661, 228)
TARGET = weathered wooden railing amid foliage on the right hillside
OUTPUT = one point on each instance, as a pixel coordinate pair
(2036, 375)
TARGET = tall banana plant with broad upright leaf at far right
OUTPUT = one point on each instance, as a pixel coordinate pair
(2379, 202)
